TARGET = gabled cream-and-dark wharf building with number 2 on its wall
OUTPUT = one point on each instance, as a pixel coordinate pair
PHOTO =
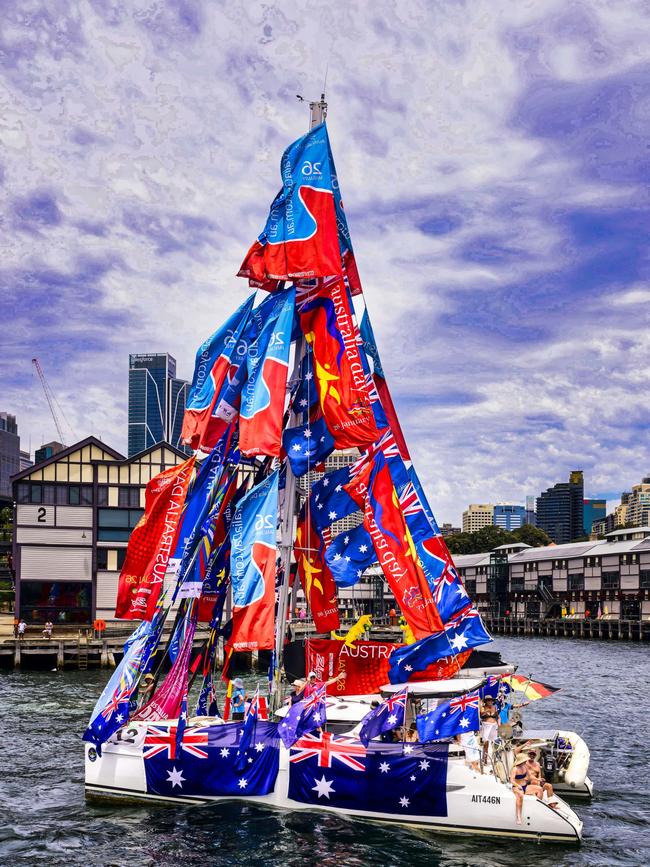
(73, 516)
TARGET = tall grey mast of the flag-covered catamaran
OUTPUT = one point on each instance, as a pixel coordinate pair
(317, 114)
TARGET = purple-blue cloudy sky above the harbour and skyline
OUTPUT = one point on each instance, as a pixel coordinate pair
(494, 161)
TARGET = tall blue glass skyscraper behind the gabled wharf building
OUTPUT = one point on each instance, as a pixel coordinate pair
(156, 402)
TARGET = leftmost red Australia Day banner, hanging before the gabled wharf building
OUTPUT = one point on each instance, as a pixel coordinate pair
(152, 543)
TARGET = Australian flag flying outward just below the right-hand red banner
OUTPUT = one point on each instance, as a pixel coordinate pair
(462, 632)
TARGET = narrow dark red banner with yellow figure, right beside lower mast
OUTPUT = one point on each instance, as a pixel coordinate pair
(317, 582)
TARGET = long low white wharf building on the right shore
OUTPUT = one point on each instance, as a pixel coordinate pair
(611, 576)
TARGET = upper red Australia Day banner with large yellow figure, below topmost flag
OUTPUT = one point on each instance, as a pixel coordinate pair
(329, 328)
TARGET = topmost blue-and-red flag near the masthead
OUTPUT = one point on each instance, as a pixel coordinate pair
(300, 238)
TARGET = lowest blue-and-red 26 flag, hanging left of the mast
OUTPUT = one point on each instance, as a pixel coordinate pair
(252, 566)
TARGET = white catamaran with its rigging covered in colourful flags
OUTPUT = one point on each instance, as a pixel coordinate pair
(292, 377)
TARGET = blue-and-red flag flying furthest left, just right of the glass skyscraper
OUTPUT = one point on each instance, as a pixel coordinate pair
(213, 360)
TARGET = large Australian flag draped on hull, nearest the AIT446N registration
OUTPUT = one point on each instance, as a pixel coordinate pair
(398, 779)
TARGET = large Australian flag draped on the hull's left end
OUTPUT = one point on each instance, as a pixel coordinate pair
(206, 762)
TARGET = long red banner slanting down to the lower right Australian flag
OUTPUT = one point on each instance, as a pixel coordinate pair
(371, 486)
